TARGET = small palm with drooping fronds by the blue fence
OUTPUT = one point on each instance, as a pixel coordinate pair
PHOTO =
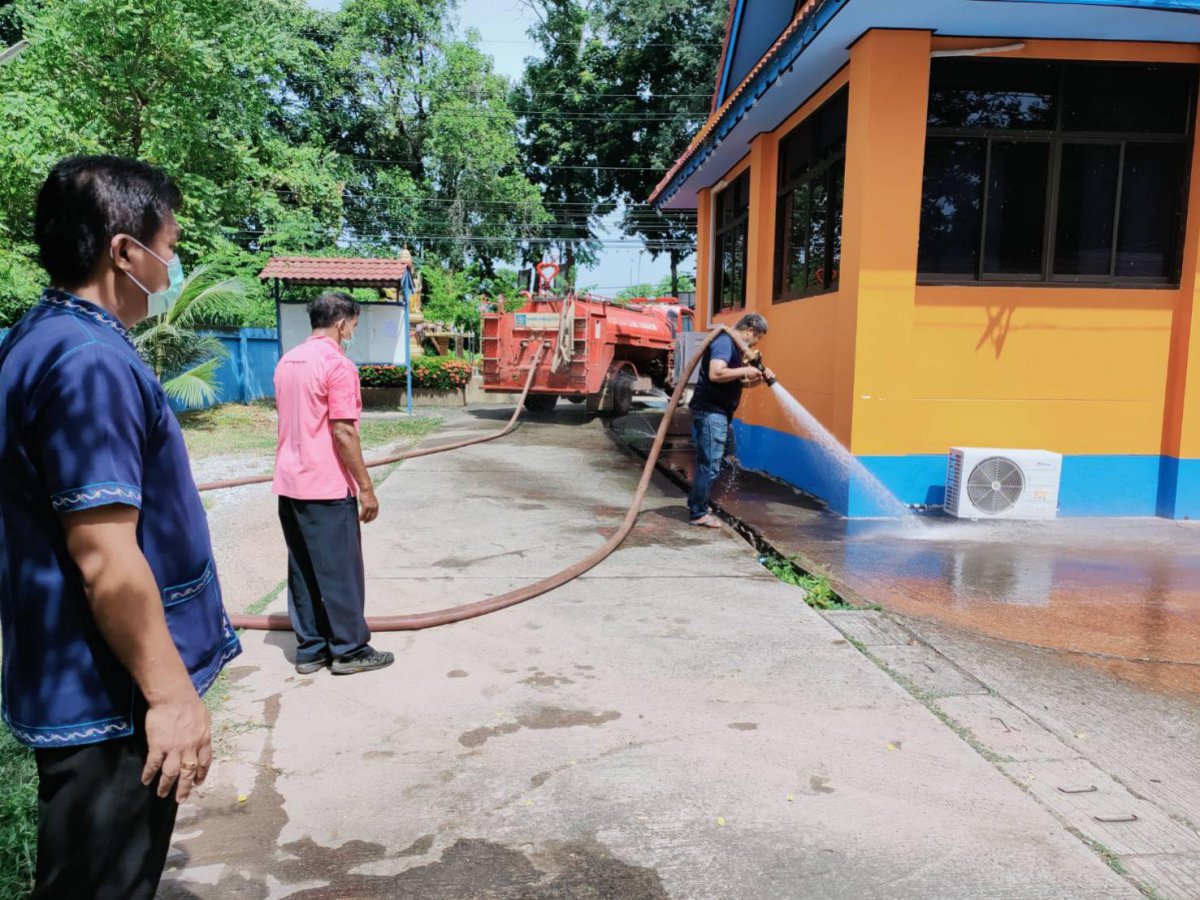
(185, 361)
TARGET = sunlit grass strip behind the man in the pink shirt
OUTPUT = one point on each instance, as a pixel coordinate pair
(236, 429)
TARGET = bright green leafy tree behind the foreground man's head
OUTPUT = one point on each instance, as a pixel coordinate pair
(190, 86)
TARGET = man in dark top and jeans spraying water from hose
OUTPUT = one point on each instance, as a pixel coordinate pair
(723, 374)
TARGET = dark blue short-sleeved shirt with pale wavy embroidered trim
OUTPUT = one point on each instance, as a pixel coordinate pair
(85, 423)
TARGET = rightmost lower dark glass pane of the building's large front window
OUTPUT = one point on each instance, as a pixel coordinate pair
(1151, 211)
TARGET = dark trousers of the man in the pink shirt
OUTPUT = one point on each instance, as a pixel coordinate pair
(327, 585)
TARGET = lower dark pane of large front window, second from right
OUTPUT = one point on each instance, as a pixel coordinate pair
(1088, 203)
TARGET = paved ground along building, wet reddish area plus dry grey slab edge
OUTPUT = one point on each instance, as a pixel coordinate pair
(1066, 652)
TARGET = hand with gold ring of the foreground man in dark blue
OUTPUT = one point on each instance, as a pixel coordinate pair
(181, 745)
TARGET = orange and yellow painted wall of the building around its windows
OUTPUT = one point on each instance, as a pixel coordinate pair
(897, 370)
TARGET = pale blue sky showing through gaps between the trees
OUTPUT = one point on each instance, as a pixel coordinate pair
(503, 27)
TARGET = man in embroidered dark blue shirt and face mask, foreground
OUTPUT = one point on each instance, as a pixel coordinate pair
(110, 603)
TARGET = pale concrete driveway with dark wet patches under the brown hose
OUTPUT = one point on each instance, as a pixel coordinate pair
(677, 723)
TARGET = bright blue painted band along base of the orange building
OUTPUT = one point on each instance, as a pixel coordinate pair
(1091, 485)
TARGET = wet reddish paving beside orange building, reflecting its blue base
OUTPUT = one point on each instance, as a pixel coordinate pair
(1124, 595)
